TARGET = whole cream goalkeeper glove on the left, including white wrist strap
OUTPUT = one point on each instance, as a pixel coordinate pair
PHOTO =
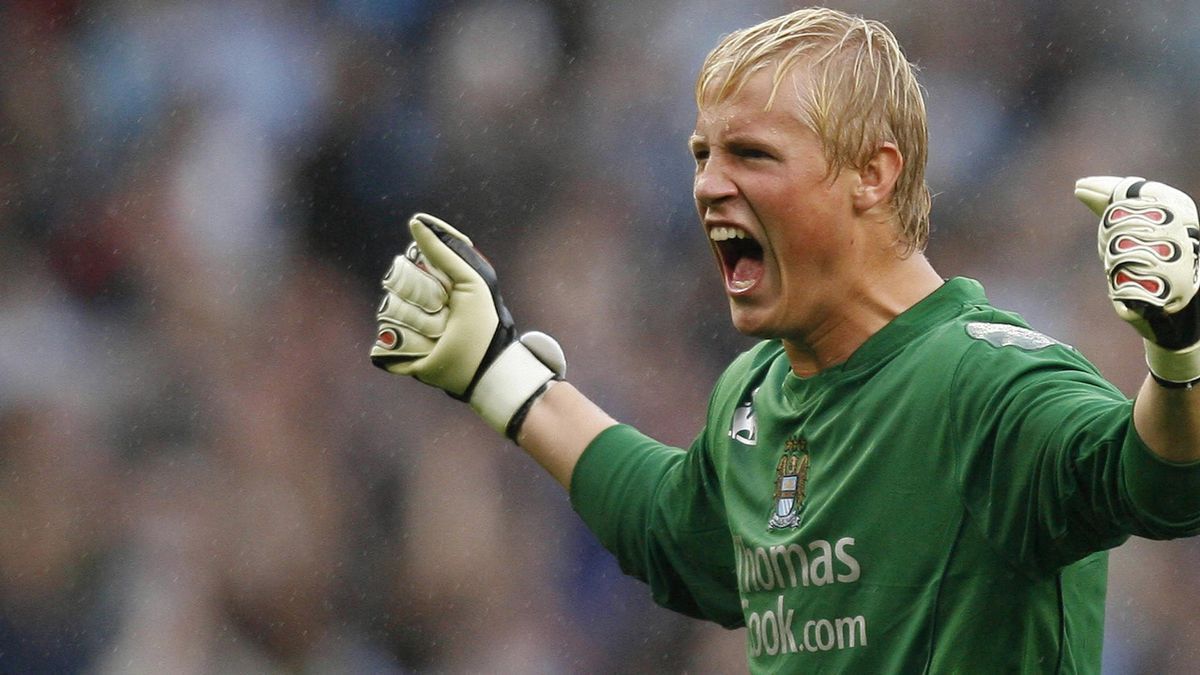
(443, 321)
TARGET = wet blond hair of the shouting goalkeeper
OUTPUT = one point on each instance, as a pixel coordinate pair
(863, 93)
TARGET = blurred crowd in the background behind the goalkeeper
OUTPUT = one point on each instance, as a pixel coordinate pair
(200, 470)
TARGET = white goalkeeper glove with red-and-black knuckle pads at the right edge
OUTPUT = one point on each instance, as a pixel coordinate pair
(1149, 242)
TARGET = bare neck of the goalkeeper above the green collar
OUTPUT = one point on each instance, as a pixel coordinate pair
(861, 313)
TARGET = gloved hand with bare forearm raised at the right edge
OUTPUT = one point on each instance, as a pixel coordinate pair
(1150, 244)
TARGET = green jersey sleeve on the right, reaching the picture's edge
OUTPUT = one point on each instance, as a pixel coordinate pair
(1051, 465)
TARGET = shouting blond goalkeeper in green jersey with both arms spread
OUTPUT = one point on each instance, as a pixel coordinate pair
(899, 477)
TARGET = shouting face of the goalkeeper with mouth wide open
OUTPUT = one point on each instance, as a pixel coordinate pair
(782, 228)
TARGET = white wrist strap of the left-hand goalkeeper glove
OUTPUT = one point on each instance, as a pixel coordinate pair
(509, 387)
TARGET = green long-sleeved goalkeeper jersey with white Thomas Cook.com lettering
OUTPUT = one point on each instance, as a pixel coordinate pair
(939, 503)
